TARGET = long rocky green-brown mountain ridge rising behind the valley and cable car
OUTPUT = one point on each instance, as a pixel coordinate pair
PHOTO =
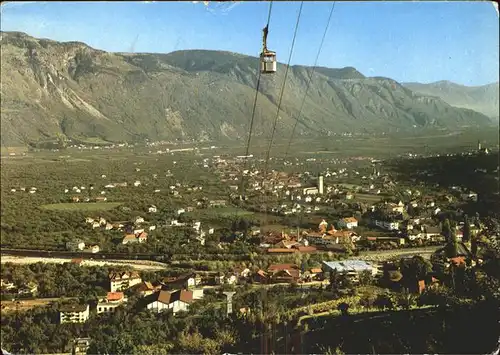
(52, 89)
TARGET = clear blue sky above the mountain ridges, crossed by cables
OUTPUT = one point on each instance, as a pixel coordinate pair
(406, 41)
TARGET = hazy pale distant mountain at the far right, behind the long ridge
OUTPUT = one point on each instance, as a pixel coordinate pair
(482, 99)
